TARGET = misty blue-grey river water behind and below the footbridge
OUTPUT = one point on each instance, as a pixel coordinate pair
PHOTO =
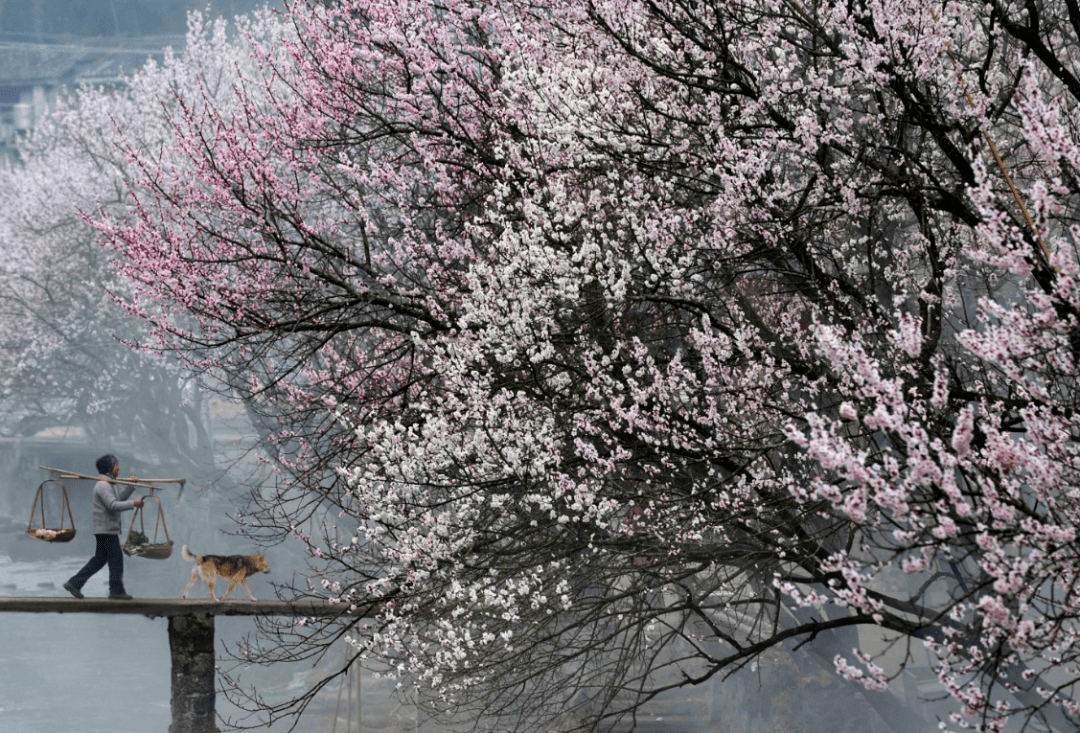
(110, 673)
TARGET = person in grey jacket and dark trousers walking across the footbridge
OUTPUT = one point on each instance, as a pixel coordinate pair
(110, 501)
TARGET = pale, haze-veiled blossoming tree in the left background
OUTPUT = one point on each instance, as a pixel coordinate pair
(65, 350)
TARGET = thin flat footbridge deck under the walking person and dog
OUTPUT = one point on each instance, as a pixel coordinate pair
(174, 607)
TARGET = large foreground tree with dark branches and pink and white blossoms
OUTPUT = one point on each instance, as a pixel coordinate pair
(631, 341)
